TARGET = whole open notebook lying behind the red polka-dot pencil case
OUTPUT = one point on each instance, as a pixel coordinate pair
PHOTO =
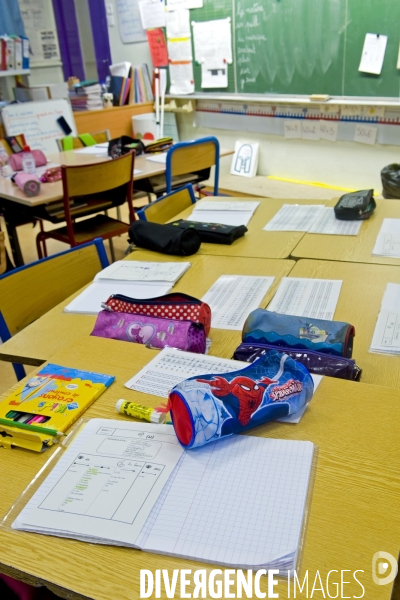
(136, 279)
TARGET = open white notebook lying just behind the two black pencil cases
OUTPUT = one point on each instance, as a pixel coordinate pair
(227, 213)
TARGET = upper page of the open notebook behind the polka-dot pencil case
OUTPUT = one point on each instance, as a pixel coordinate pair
(134, 270)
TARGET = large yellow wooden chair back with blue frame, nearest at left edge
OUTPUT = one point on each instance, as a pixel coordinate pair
(28, 292)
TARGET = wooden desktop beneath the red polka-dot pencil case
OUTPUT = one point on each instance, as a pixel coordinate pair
(40, 340)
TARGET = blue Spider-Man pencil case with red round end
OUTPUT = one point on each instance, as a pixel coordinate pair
(206, 408)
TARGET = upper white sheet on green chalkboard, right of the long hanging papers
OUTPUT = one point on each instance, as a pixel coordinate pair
(212, 40)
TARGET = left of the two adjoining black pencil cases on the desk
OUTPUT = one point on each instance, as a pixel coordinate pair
(164, 238)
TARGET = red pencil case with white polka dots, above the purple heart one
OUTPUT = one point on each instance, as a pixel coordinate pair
(175, 306)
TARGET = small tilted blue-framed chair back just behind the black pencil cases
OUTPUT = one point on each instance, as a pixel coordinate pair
(167, 207)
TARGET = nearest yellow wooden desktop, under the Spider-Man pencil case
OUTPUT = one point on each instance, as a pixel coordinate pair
(354, 509)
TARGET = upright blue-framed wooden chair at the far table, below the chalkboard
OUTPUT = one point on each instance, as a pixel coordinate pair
(193, 158)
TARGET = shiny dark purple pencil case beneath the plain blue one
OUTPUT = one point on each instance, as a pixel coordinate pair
(315, 362)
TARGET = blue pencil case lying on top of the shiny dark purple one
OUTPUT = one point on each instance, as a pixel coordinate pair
(305, 333)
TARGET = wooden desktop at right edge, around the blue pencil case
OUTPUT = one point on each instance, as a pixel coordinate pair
(359, 304)
